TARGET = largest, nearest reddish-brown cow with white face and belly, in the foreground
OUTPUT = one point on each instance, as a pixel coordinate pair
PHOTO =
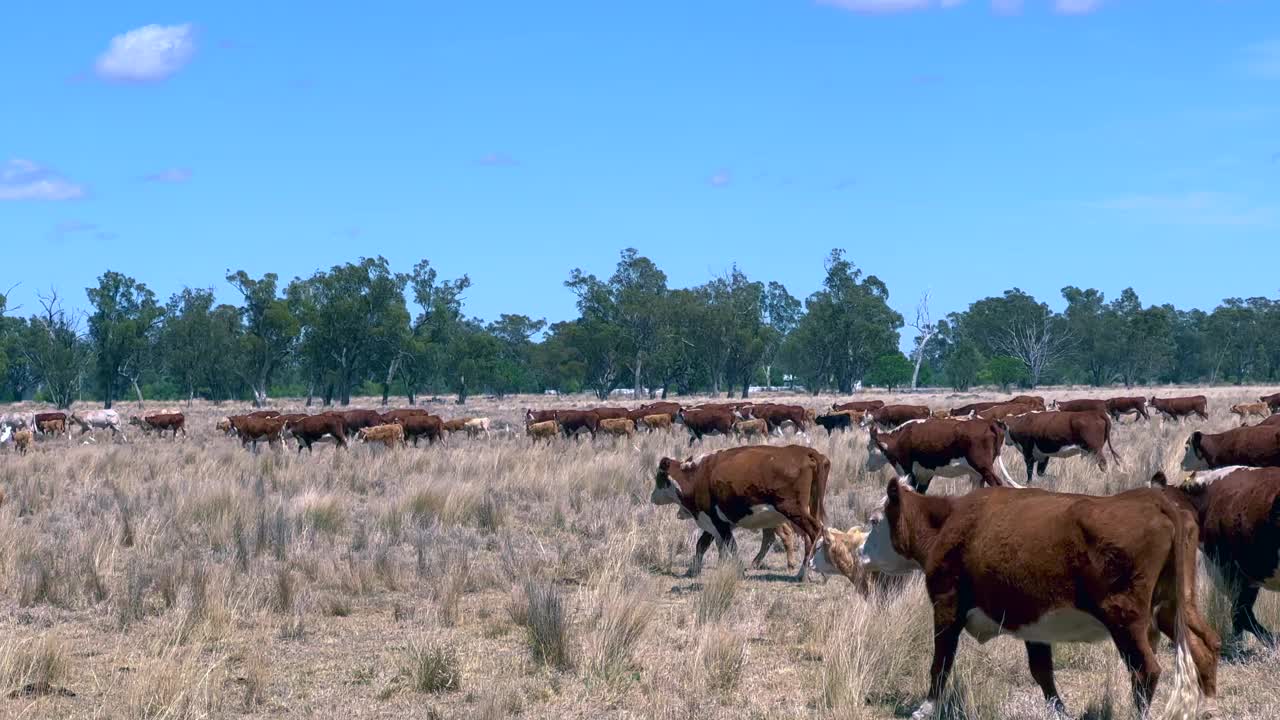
(1113, 568)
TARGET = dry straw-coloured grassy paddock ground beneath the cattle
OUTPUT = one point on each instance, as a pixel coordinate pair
(487, 580)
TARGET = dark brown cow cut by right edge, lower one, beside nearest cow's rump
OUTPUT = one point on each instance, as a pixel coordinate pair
(1238, 513)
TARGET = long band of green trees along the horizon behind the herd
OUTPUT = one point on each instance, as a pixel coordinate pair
(363, 329)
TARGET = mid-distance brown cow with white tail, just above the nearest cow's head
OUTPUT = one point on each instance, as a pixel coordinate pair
(924, 449)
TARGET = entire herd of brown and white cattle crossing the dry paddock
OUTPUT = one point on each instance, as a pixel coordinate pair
(1123, 567)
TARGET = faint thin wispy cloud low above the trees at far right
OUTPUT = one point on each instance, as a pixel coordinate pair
(1197, 208)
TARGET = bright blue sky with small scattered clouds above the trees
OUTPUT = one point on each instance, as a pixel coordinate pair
(956, 147)
